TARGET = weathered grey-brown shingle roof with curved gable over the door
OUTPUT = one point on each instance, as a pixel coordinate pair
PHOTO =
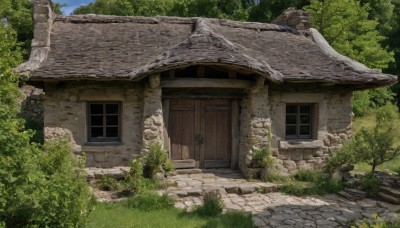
(130, 48)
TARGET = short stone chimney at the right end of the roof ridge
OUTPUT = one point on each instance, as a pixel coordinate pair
(296, 19)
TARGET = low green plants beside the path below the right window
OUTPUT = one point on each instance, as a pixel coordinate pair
(312, 182)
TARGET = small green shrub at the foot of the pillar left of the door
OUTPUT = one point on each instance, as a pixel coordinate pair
(154, 159)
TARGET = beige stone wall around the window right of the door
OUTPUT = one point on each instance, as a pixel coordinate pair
(331, 127)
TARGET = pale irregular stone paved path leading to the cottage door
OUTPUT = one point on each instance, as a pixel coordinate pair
(274, 209)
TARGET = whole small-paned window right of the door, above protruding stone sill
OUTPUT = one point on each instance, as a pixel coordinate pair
(299, 121)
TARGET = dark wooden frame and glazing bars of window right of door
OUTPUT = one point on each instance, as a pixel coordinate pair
(298, 124)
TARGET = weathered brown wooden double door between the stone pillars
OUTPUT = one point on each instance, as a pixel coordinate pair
(200, 130)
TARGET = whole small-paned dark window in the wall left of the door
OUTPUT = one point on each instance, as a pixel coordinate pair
(104, 122)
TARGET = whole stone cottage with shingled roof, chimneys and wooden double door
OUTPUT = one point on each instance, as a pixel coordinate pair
(211, 91)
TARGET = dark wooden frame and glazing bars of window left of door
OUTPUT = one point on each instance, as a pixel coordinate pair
(104, 138)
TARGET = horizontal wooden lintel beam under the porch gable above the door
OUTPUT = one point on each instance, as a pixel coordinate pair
(206, 83)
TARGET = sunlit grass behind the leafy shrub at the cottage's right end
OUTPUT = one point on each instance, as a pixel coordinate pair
(369, 122)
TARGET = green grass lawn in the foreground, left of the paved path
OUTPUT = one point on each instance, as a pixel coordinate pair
(119, 216)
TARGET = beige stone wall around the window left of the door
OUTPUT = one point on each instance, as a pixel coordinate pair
(66, 112)
